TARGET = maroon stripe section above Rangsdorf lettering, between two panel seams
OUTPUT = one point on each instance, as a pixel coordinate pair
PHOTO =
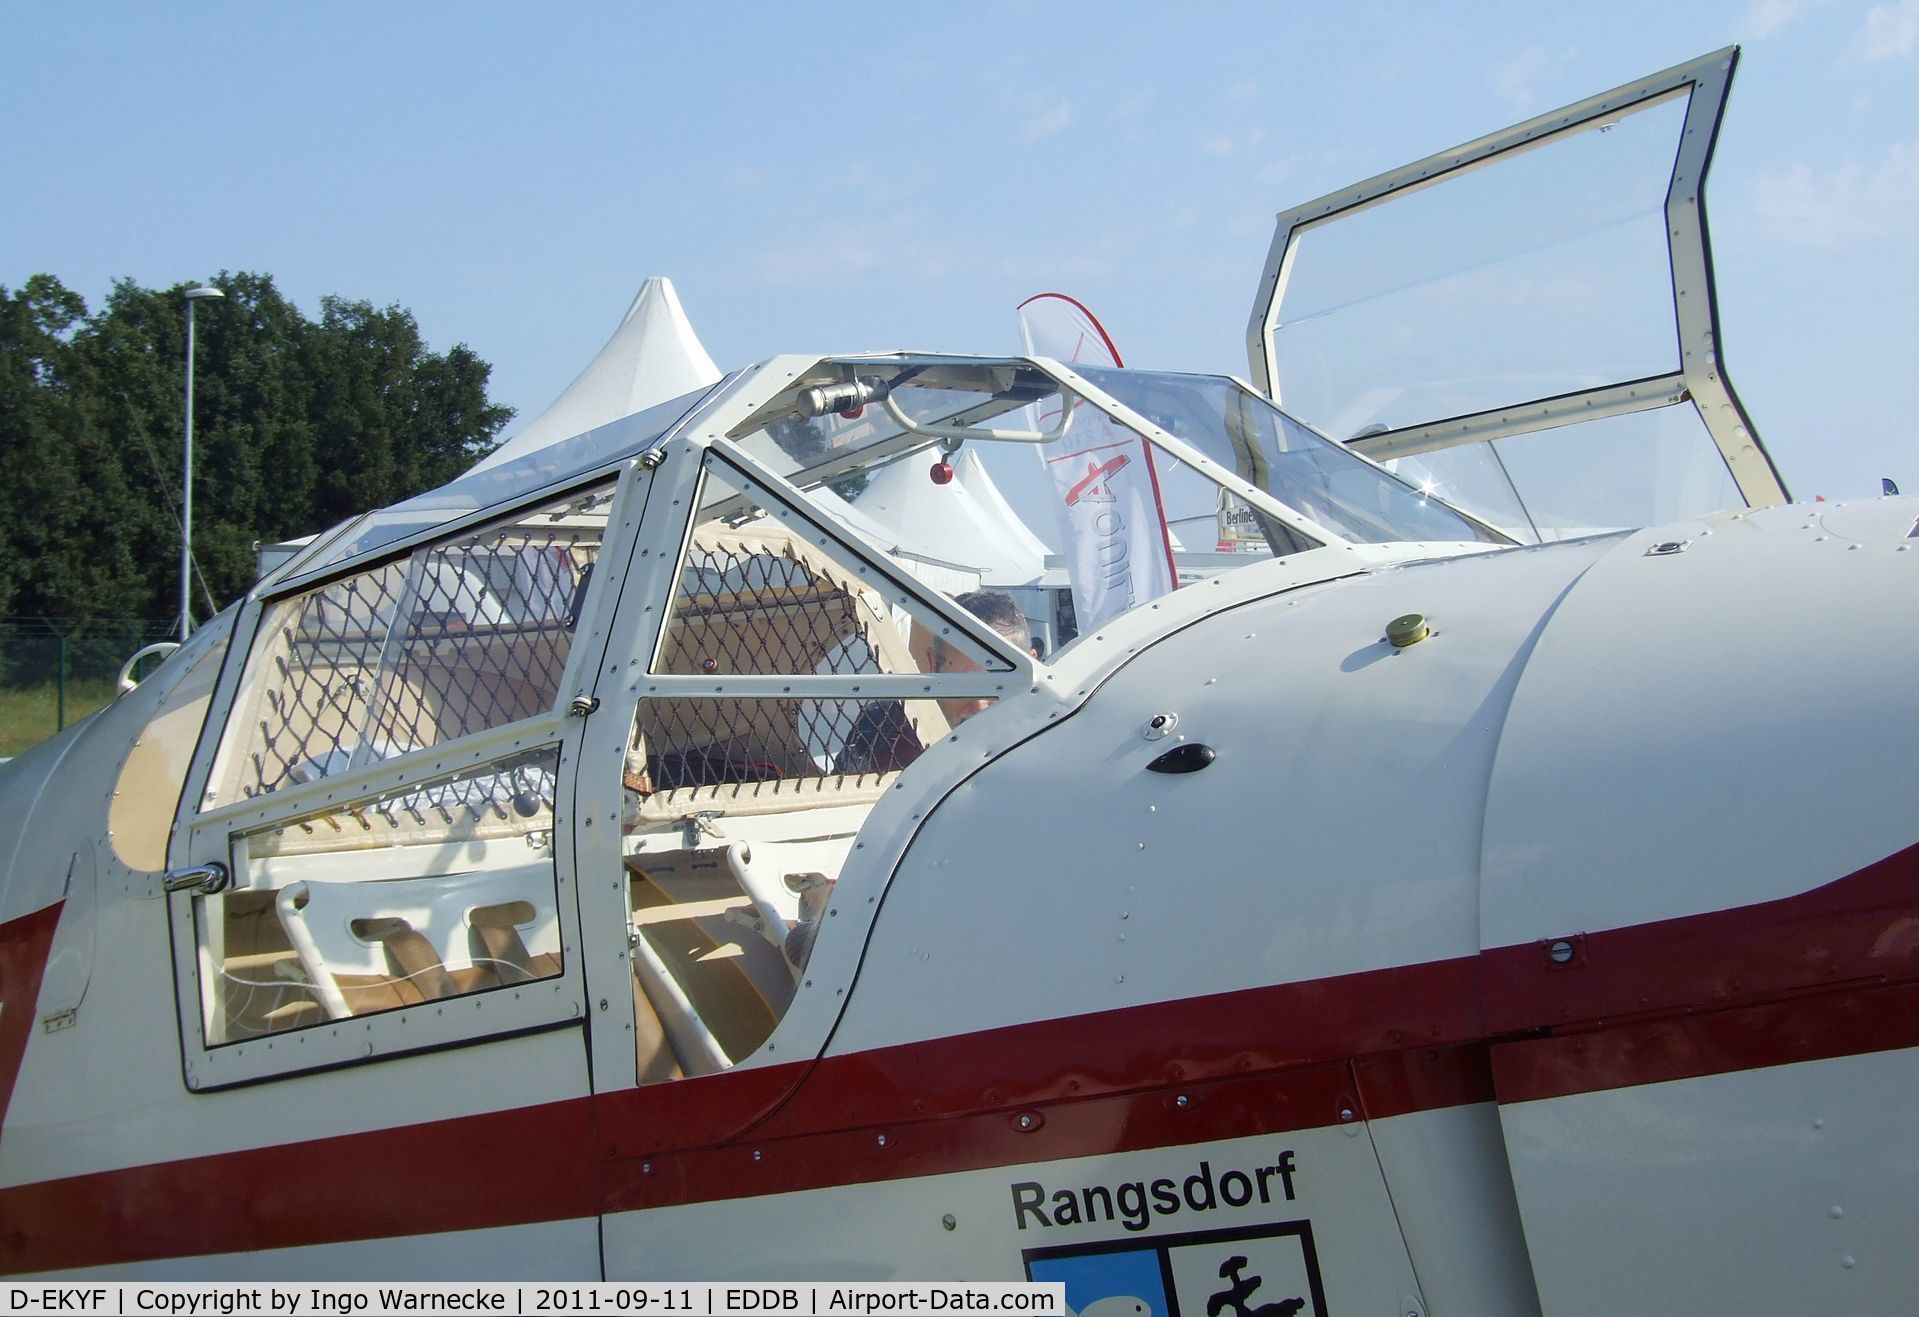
(1246, 1063)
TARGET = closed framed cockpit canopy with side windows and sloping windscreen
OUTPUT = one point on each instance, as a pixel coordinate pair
(780, 592)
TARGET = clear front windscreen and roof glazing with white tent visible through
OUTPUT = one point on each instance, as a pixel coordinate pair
(999, 475)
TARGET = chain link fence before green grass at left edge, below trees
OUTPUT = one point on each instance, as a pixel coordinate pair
(57, 671)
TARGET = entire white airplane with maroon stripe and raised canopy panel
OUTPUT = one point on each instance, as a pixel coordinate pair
(1454, 898)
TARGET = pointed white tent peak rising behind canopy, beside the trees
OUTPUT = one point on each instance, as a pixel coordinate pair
(652, 358)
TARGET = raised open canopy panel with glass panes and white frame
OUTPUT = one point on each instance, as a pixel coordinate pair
(1546, 277)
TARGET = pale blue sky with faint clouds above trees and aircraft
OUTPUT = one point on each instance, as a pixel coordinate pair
(889, 176)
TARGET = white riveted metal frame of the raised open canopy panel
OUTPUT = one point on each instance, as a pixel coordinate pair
(1701, 377)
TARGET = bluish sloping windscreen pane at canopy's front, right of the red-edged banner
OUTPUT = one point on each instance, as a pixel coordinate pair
(1264, 446)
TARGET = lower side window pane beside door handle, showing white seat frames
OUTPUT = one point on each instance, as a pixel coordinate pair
(425, 894)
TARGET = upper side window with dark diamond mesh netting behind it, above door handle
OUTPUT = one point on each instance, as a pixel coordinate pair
(458, 638)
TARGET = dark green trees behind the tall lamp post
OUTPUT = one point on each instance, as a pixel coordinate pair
(298, 425)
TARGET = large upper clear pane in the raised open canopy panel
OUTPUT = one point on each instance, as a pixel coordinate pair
(1544, 275)
